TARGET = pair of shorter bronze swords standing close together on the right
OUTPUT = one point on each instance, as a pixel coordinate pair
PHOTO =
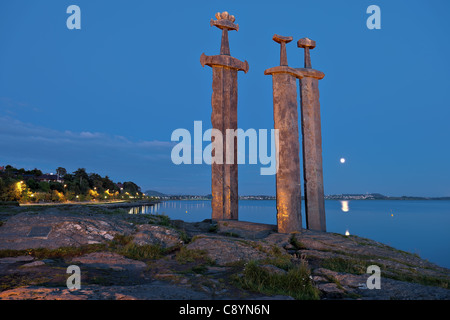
(284, 91)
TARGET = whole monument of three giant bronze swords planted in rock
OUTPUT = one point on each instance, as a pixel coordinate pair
(224, 184)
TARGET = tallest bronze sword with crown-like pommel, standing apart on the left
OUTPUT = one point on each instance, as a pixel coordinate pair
(224, 175)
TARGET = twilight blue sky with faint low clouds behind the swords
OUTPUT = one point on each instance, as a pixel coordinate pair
(108, 97)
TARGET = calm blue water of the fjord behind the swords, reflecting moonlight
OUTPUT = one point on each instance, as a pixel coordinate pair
(416, 226)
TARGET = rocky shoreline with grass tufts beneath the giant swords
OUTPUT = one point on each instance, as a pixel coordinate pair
(150, 257)
